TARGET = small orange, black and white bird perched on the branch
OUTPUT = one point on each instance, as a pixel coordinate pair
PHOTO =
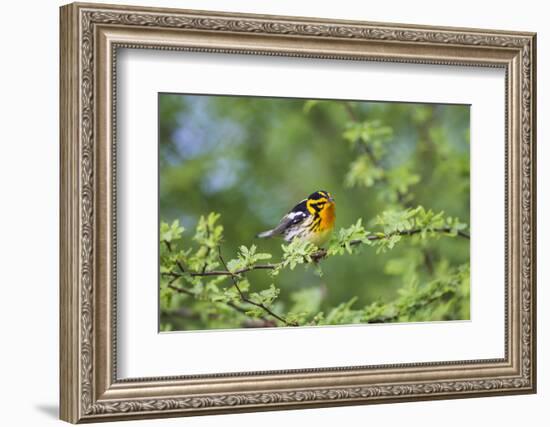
(311, 220)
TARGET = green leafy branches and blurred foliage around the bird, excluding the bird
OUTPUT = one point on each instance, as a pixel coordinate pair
(392, 167)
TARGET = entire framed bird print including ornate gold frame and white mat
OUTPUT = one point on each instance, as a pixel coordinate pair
(264, 212)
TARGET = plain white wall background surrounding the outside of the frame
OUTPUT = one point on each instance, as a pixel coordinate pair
(29, 170)
